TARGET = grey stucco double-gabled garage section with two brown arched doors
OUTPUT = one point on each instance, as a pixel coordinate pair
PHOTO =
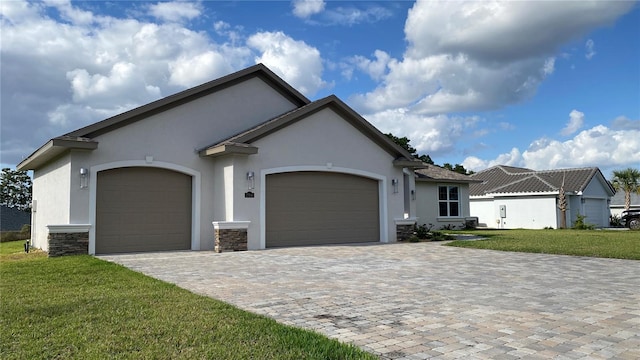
(241, 162)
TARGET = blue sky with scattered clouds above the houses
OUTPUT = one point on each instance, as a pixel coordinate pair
(535, 84)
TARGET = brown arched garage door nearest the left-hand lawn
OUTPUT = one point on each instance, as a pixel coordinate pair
(142, 209)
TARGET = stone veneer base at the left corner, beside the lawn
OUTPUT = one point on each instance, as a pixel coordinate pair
(68, 240)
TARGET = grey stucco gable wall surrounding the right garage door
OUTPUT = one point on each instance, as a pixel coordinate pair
(323, 141)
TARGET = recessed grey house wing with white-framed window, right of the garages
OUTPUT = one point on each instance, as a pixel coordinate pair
(442, 197)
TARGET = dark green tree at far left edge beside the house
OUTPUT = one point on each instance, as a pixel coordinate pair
(15, 189)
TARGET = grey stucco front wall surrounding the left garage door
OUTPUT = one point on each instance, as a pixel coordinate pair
(170, 140)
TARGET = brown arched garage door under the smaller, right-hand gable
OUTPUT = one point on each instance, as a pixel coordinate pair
(314, 208)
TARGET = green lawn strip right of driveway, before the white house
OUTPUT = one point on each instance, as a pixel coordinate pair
(592, 243)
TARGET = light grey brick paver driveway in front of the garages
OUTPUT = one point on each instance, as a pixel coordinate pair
(424, 300)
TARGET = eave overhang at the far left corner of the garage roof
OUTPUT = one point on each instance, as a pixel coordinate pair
(54, 148)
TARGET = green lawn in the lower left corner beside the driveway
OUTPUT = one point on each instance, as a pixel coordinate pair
(80, 307)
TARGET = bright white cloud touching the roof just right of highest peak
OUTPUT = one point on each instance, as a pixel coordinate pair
(296, 62)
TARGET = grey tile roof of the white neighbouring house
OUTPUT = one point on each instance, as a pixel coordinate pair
(507, 179)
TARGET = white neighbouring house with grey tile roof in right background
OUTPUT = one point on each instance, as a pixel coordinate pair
(511, 197)
